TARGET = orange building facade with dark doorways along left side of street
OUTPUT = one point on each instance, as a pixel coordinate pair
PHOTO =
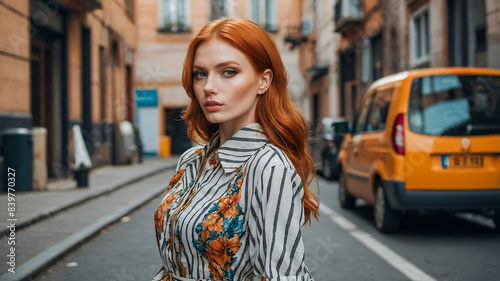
(67, 62)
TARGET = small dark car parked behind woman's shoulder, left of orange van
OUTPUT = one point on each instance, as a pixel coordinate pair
(325, 144)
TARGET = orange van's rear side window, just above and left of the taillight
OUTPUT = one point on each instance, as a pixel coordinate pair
(378, 112)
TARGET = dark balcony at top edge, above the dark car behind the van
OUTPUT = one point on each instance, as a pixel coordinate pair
(347, 14)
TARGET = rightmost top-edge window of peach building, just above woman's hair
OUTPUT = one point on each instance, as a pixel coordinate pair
(264, 10)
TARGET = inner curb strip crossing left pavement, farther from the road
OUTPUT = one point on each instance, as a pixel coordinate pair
(29, 220)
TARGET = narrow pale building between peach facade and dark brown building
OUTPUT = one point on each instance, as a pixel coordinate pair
(318, 46)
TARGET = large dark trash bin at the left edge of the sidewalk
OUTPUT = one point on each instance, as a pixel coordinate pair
(17, 150)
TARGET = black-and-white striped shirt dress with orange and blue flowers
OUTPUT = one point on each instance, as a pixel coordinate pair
(240, 219)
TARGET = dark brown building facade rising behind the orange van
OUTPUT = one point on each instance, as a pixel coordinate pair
(381, 37)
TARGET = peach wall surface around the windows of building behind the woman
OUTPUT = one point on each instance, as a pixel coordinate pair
(160, 55)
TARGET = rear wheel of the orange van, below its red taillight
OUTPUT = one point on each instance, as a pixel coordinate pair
(386, 219)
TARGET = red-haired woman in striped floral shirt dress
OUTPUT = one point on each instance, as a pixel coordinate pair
(235, 207)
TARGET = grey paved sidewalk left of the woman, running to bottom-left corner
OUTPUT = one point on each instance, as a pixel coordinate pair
(56, 222)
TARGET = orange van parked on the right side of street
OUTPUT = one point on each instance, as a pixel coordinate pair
(425, 139)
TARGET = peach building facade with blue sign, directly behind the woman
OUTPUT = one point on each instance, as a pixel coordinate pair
(165, 28)
